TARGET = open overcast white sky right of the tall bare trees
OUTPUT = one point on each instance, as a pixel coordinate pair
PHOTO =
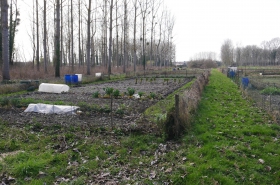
(203, 25)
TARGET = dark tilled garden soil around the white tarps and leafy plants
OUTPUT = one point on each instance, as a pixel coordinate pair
(130, 119)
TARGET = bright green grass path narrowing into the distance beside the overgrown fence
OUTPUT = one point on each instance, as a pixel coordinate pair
(231, 142)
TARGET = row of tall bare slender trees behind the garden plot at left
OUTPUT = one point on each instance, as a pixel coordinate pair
(74, 33)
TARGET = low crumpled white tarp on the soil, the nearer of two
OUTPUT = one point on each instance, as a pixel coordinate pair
(51, 109)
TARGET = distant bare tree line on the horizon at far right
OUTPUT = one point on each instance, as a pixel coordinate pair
(267, 54)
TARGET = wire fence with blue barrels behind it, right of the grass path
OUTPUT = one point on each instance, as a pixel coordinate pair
(253, 83)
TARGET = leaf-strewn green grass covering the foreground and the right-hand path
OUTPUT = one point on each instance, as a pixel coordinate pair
(226, 141)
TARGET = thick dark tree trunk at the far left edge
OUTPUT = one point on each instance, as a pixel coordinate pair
(5, 39)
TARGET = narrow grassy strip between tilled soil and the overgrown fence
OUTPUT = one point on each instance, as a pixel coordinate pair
(162, 107)
